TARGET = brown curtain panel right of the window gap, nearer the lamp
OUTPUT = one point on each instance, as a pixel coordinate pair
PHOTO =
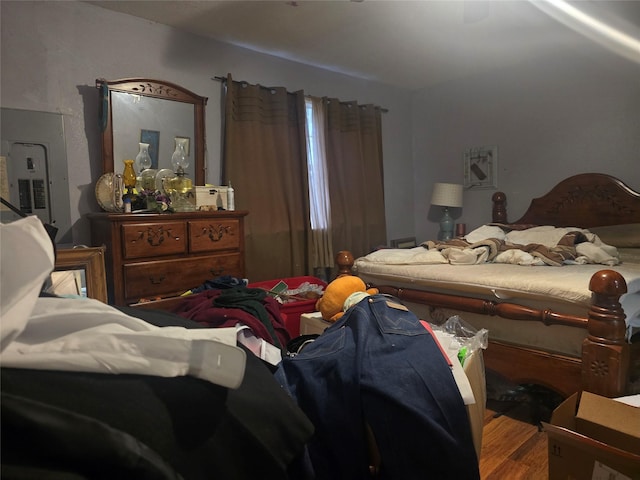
(355, 176)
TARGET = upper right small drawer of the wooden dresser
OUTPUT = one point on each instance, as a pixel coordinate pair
(212, 234)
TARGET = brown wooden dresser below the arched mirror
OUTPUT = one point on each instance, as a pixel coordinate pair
(164, 255)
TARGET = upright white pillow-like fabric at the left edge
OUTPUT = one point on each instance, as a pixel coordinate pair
(26, 262)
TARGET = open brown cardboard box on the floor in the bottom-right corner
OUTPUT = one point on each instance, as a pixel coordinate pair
(594, 437)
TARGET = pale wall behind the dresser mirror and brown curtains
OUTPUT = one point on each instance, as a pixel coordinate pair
(52, 53)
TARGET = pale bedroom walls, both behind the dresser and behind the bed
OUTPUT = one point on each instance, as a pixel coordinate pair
(570, 110)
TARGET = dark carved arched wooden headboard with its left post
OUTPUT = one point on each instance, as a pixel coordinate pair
(585, 200)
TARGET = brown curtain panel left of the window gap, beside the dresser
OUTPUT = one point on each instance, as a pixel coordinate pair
(264, 158)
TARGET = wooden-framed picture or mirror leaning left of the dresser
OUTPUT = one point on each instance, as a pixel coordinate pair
(80, 271)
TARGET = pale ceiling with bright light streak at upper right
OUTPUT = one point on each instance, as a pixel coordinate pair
(409, 44)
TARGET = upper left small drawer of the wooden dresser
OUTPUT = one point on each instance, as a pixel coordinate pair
(143, 240)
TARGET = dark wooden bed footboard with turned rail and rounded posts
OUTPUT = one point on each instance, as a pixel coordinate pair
(609, 366)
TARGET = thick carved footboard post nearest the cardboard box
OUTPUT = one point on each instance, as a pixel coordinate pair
(605, 353)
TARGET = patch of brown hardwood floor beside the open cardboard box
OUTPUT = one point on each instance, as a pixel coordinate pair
(512, 446)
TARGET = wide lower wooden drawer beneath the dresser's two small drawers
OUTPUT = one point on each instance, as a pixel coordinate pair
(173, 277)
